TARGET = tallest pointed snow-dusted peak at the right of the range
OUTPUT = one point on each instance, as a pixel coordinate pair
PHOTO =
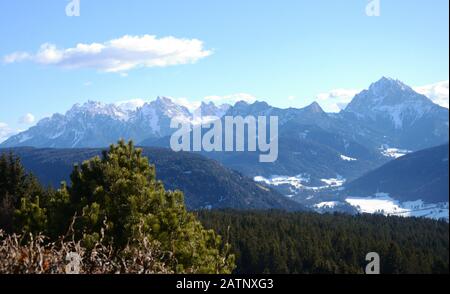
(399, 115)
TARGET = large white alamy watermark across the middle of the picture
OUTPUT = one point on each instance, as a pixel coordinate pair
(228, 134)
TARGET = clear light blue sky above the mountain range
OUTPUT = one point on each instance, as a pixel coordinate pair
(287, 52)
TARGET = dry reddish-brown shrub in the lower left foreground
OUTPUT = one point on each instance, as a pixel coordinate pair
(35, 254)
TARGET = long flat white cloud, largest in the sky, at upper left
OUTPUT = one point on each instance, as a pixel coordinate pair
(118, 55)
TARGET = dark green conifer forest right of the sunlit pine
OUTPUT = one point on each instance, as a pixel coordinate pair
(299, 242)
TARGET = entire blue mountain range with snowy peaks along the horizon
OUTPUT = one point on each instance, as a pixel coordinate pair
(388, 113)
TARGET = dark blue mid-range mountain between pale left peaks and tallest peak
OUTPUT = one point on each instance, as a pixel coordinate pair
(310, 142)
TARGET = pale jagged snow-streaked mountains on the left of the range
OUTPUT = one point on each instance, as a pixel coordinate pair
(95, 124)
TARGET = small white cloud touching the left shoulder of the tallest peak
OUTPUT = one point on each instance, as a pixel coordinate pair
(337, 99)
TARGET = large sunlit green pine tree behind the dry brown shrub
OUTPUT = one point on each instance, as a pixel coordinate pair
(121, 188)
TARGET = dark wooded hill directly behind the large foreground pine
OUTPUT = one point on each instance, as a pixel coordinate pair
(205, 183)
